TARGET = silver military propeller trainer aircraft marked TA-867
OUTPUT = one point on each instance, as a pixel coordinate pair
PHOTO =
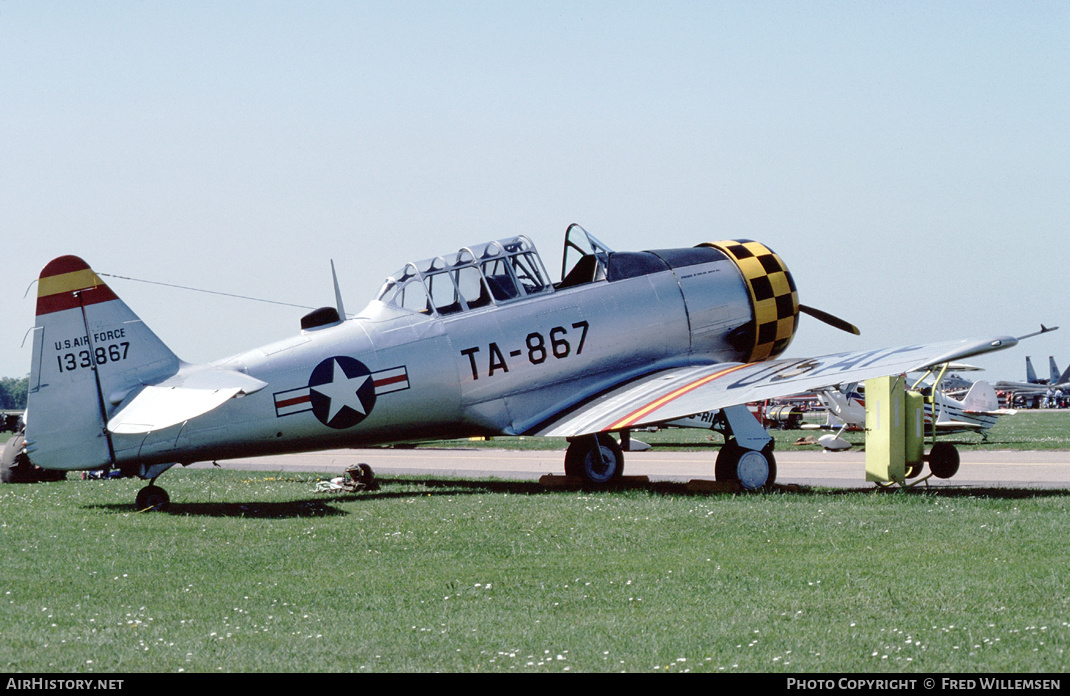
(475, 343)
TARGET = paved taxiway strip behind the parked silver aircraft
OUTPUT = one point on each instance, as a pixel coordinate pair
(1005, 470)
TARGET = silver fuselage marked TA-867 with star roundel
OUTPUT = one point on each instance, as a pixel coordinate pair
(396, 376)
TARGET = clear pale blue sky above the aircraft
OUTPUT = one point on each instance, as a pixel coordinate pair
(910, 161)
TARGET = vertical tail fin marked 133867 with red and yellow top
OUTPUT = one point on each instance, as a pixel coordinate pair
(89, 352)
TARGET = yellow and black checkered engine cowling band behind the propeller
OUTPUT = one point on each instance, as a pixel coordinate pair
(773, 296)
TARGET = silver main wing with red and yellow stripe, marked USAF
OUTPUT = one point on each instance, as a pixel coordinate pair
(678, 392)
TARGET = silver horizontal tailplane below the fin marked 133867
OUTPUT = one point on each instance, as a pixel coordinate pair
(181, 398)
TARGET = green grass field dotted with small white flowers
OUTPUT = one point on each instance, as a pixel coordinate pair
(252, 572)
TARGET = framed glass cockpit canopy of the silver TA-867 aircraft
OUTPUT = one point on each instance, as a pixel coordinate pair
(476, 277)
